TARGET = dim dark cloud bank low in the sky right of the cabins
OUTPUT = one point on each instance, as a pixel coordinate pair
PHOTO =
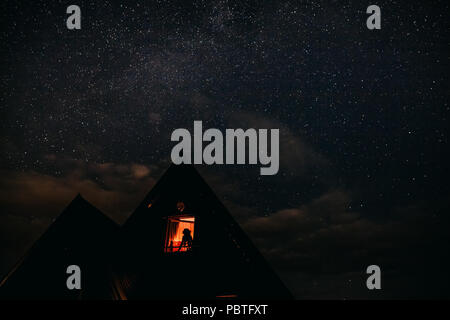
(321, 249)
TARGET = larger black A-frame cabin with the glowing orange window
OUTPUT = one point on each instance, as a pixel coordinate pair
(181, 242)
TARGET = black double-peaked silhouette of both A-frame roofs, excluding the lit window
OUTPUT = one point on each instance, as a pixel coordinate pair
(130, 262)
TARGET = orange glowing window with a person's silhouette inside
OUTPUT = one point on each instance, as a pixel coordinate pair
(180, 233)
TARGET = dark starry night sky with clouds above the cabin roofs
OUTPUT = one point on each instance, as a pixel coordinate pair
(363, 119)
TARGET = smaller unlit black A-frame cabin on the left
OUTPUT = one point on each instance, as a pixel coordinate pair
(81, 235)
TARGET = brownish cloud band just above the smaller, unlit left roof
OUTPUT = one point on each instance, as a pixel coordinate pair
(116, 189)
